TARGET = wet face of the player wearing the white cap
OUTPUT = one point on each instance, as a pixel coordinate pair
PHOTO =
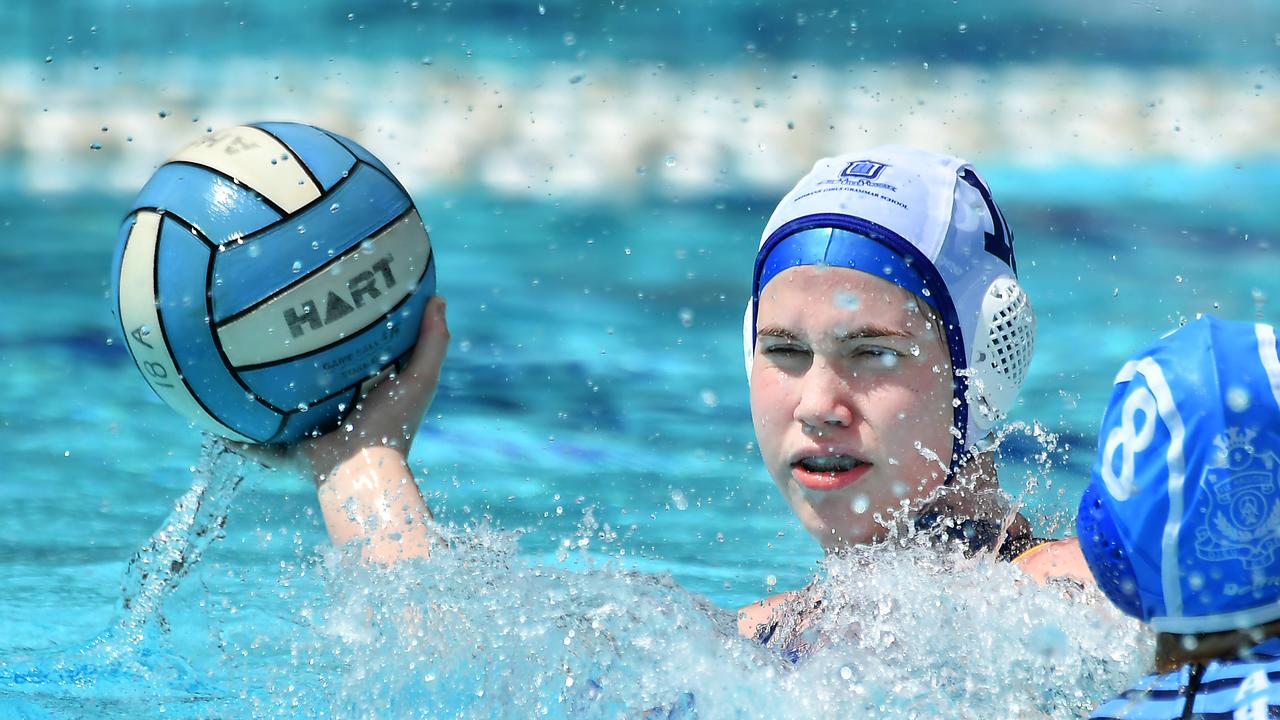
(851, 398)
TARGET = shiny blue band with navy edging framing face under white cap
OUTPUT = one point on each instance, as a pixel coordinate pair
(862, 245)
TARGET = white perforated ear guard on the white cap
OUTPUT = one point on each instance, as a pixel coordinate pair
(1003, 349)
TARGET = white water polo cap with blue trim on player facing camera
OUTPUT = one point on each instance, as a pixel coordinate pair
(927, 224)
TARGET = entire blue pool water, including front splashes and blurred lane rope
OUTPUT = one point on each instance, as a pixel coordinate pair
(595, 192)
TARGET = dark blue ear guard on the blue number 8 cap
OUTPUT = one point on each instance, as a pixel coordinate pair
(1107, 555)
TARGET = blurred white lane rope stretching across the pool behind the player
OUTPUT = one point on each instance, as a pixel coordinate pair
(610, 130)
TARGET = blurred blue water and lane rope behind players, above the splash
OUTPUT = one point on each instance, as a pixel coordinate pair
(596, 177)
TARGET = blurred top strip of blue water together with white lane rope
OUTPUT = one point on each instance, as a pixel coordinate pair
(555, 101)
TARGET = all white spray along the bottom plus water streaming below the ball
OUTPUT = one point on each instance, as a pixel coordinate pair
(900, 630)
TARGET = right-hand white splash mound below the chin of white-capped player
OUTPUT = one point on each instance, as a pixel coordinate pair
(920, 635)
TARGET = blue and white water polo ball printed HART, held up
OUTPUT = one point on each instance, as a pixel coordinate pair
(269, 275)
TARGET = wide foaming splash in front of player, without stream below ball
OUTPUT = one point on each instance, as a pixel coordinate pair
(904, 631)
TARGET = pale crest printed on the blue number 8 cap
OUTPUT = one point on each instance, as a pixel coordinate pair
(1244, 514)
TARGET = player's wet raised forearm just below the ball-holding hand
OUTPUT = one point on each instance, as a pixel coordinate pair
(373, 499)
